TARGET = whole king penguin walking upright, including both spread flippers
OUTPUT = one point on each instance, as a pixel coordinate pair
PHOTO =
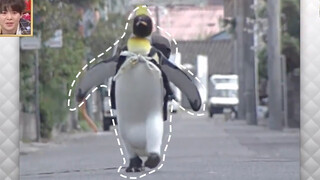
(139, 91)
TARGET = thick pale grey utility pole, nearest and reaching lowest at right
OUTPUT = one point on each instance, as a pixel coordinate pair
(274, 66)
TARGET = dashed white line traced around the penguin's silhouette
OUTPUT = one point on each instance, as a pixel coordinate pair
(113, 122)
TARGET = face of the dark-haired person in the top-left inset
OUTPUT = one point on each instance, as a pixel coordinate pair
(9, 21)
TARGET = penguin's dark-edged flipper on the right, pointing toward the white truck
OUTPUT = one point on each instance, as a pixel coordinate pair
(183, 82)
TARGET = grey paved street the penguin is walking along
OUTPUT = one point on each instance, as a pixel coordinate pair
(200, 148)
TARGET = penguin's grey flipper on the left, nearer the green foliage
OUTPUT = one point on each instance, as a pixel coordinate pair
(96, 76)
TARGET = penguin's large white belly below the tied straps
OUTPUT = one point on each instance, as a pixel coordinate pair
(139, 101)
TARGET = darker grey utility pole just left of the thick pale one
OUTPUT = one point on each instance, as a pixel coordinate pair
(249, 64)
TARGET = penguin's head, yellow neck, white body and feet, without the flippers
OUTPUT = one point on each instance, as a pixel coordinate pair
(139, 98)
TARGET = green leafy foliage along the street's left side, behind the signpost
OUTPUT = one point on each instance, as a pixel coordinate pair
(59, 66)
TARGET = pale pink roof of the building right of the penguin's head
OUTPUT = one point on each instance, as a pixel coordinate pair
(190, 22)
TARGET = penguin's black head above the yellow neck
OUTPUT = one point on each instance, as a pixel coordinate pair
(142, 26)
